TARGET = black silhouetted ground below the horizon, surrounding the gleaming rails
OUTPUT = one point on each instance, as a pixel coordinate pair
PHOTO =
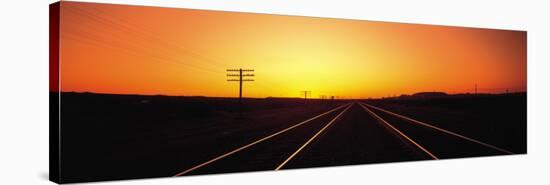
(110, 137)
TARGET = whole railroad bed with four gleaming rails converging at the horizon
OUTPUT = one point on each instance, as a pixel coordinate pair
(354, 133)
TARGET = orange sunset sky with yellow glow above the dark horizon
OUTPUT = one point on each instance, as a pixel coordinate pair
(149, 50)
